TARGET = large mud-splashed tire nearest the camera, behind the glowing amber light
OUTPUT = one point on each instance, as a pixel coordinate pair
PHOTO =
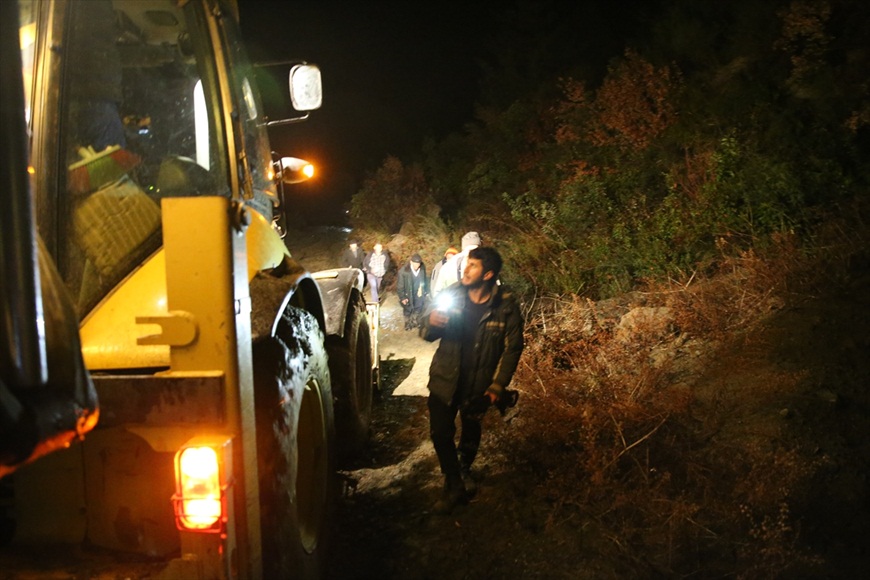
(295, 447)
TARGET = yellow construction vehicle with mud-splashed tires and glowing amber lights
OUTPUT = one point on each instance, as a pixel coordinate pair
(175, 389)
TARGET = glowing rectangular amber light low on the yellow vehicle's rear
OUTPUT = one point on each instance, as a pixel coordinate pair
(198, 500)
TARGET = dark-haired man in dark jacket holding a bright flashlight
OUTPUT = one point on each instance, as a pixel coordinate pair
(481, 330)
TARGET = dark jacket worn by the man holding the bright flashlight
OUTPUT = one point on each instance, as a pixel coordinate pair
(499, 344)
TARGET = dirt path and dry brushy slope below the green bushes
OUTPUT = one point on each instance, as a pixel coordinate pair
(740, 448)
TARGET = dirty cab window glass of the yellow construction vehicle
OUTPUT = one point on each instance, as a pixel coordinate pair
(137, 123)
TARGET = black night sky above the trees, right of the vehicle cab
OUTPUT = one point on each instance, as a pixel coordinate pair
(394, 73)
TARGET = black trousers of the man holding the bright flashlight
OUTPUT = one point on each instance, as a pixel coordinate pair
(442, 429)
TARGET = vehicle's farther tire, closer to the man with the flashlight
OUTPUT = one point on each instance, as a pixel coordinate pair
(350, 366)
